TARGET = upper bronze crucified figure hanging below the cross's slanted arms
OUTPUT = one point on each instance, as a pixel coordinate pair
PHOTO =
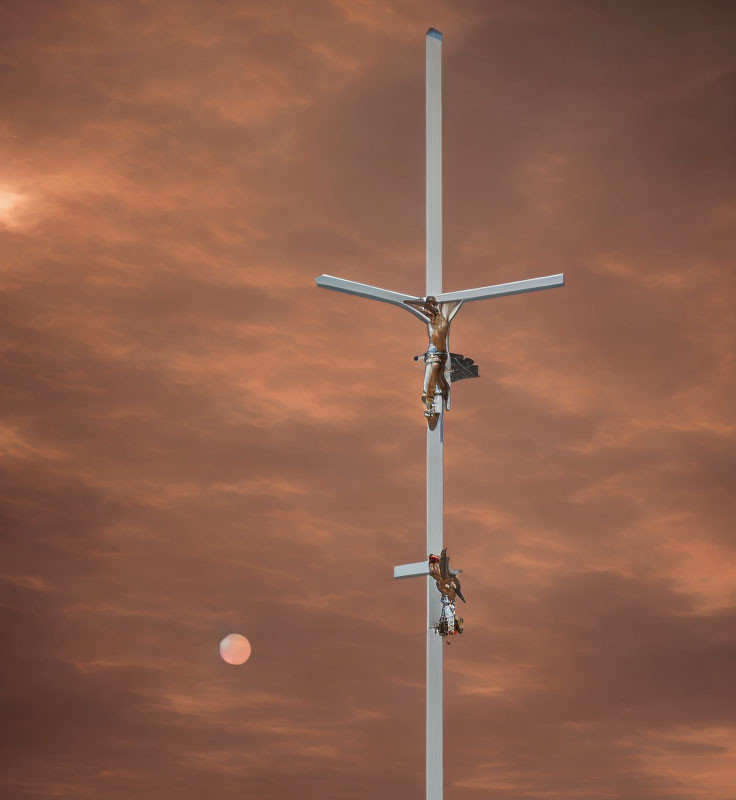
(436, 372)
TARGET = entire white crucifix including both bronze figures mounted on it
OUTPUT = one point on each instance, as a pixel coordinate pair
(436, 309)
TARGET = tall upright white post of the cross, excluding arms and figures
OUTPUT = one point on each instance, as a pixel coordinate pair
(434, 438)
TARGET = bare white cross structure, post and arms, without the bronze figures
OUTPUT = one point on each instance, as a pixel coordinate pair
(435, 438)
